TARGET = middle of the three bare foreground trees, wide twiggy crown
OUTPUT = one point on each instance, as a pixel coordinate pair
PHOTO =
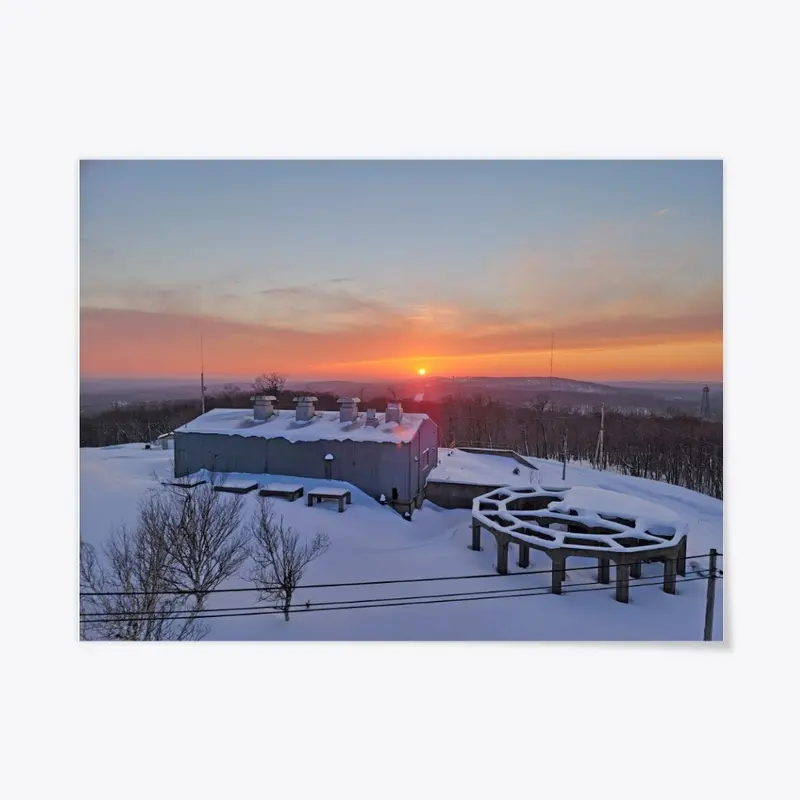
(203, 536)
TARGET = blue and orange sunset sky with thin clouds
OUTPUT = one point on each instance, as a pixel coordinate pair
(377, 269)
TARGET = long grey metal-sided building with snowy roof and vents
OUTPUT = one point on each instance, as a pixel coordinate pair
(390, 453)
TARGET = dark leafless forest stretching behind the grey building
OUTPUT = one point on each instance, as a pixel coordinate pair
(674, 447)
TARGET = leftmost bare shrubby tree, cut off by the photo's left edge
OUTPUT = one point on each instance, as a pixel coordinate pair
(129, 596)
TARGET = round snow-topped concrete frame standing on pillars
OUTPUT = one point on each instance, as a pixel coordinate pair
(547, 520)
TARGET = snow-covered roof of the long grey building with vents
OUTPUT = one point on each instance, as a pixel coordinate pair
(324, 425)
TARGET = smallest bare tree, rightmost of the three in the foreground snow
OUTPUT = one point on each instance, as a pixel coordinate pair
(279, 558)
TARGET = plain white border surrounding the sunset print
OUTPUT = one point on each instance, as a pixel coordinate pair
(96, 79)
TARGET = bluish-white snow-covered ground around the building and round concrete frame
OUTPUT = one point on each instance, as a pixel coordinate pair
(371, 542)
